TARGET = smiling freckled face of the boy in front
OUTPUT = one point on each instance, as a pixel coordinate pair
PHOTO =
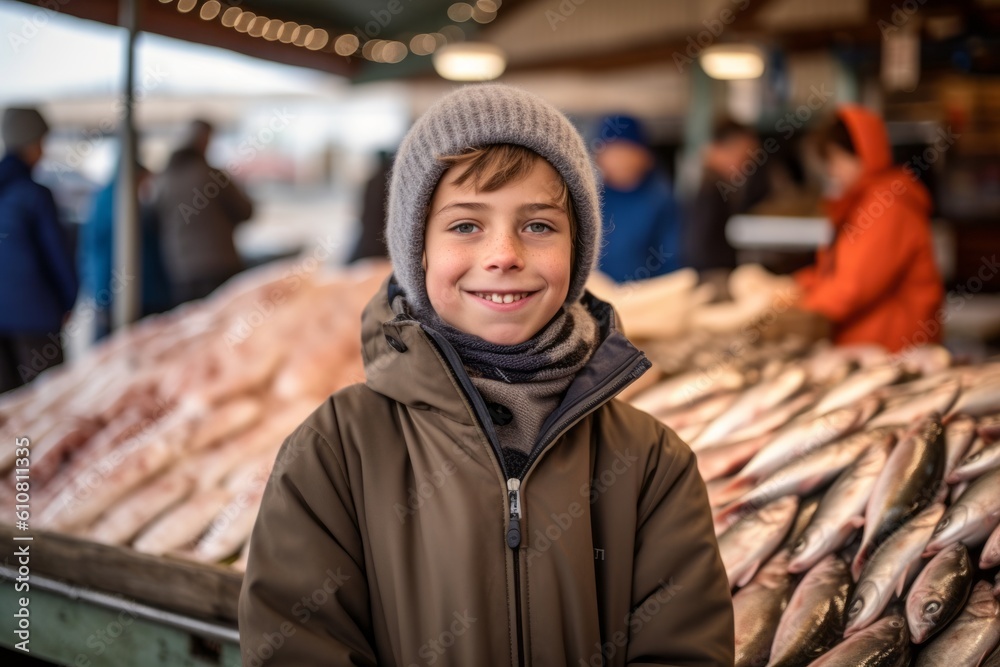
(511, 245)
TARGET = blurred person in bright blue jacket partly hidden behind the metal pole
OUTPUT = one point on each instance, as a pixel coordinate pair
(95, 255)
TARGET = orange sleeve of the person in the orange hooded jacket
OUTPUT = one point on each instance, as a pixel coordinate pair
(871, 255)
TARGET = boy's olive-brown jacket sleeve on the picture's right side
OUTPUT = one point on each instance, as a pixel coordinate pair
(682, 610)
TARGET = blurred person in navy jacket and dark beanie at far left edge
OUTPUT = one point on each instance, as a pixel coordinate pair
(37, 279)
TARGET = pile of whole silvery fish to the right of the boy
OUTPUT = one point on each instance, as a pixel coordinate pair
(856, 498)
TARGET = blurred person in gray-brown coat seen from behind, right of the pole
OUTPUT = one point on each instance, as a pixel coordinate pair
(198, 207)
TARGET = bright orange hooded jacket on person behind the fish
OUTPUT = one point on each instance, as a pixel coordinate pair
(878, 282)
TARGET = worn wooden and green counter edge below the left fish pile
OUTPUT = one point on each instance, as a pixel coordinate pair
(80, 603)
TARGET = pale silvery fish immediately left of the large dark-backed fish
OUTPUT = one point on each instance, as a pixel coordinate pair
(841, 511)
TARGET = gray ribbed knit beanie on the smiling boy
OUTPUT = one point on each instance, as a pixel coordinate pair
(473, 117)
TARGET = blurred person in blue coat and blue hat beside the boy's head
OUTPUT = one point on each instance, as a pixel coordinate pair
(638, 207)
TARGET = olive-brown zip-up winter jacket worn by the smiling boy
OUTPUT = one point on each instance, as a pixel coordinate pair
(391, 535)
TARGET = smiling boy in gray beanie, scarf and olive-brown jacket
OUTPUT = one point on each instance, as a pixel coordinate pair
(481, 499)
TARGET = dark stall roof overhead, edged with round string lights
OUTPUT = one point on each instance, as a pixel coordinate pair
(605, 34)
